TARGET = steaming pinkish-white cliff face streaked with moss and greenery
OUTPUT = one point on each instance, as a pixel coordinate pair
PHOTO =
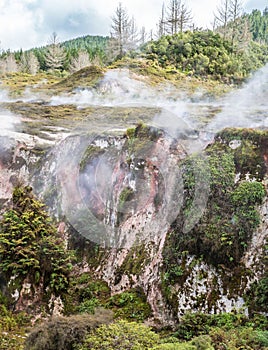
(129, 194)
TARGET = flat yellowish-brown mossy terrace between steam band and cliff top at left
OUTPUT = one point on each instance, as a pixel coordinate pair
(40, 117)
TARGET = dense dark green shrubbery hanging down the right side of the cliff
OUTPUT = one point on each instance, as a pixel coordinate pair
(223, 233)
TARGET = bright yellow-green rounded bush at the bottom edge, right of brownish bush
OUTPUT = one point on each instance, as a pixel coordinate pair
(121, 335)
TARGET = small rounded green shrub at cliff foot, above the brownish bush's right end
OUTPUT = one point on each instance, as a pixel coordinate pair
(131, 305)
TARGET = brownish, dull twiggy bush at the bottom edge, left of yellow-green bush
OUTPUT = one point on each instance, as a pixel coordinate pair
(62, 333)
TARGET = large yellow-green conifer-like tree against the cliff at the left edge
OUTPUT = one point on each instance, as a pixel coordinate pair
(30, 245)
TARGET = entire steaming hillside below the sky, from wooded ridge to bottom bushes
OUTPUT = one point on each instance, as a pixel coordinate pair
(133, 192)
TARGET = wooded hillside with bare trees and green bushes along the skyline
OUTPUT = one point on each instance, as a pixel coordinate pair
(237, 45)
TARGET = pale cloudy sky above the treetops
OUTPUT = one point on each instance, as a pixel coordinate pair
(29, 23)
